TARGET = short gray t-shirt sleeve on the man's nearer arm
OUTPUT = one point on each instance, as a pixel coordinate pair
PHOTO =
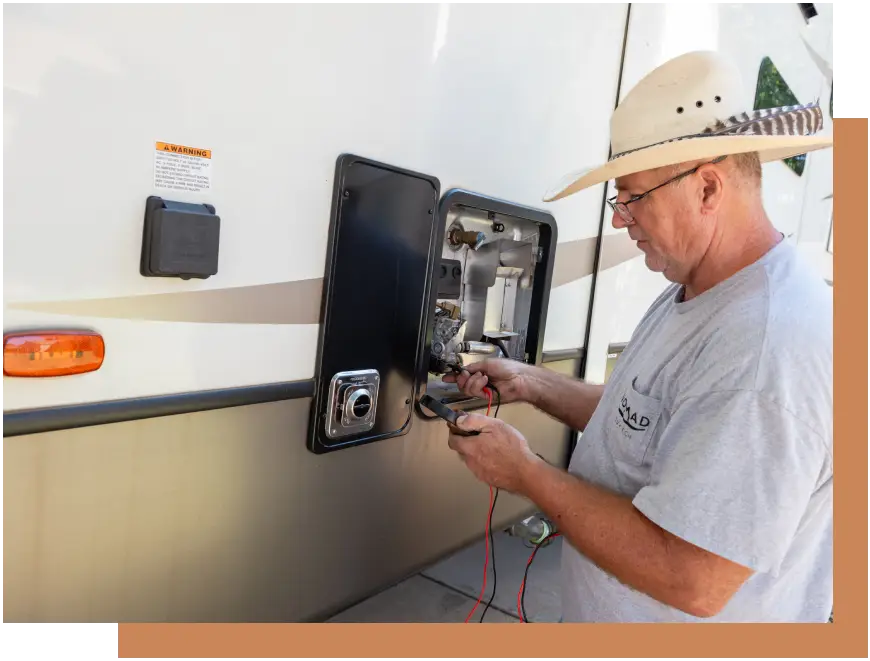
(733, 474)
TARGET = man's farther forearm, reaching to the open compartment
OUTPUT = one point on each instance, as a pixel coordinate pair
(569, 400)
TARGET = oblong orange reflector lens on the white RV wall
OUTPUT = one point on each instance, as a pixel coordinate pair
(52, 353)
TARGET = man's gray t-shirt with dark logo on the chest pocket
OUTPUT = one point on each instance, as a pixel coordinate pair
(718, 422)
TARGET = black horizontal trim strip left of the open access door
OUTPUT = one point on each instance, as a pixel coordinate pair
(38, 421)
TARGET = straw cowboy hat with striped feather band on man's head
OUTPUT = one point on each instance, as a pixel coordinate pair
(694, 107)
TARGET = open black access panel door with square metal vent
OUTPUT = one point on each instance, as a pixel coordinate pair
(381, 254)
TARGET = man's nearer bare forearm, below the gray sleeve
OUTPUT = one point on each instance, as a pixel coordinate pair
(607, 529)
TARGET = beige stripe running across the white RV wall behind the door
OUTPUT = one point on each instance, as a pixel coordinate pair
(297, 301)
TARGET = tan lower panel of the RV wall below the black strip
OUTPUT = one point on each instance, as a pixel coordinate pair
(225, 516)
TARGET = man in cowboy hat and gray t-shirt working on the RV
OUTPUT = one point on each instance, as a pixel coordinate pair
(701, 487)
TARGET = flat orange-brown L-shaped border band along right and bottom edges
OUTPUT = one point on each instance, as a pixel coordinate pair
(847, 636)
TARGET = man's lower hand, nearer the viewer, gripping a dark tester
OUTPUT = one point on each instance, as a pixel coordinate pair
(499, 455)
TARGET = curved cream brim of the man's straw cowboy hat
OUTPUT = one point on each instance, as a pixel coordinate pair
(769, 148)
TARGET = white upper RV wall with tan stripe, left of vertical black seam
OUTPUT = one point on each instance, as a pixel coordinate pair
(494, 97)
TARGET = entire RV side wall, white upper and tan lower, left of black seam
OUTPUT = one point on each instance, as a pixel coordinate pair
(224, 515)
